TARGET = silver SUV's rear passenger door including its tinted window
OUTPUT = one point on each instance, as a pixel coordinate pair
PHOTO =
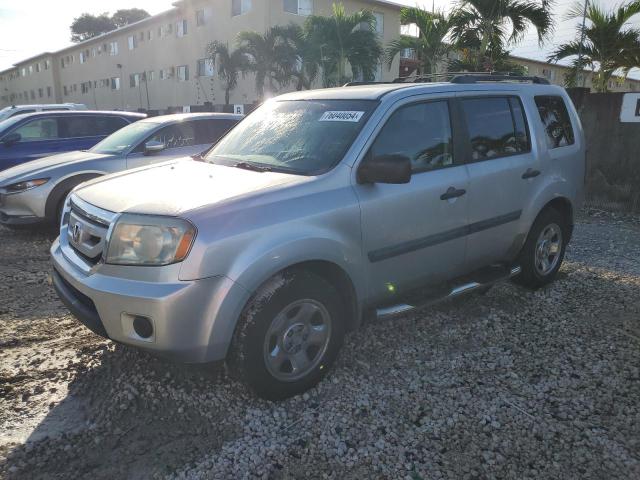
(502, 174)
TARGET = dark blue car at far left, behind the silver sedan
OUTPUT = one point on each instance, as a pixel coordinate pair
(35, 135)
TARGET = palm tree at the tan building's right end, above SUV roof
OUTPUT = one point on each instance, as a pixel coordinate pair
(429, 46)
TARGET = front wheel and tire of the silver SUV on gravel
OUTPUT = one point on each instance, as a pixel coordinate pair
(289, 334)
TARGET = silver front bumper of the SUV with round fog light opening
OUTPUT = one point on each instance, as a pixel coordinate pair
(193, 321)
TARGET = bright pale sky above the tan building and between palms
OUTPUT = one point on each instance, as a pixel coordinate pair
(30, 27)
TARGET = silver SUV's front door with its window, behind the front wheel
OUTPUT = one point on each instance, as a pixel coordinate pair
(414, 234)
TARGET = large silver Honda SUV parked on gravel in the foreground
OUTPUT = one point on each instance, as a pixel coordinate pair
(322, 206)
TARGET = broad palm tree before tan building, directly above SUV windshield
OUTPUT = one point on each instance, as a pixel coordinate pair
(343, 39)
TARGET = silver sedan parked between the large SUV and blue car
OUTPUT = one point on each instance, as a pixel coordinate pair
(34, 192)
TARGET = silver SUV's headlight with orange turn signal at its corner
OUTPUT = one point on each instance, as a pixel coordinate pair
(149, 240)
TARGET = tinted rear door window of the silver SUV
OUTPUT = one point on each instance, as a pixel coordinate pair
(494, 129)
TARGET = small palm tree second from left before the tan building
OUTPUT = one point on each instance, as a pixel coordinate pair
(269, 57)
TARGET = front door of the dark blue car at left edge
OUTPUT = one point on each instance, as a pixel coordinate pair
(39, 137)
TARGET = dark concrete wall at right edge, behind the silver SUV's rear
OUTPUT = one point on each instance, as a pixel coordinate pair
(613, 151)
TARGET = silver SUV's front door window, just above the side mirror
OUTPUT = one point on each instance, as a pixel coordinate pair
(421, 132)
